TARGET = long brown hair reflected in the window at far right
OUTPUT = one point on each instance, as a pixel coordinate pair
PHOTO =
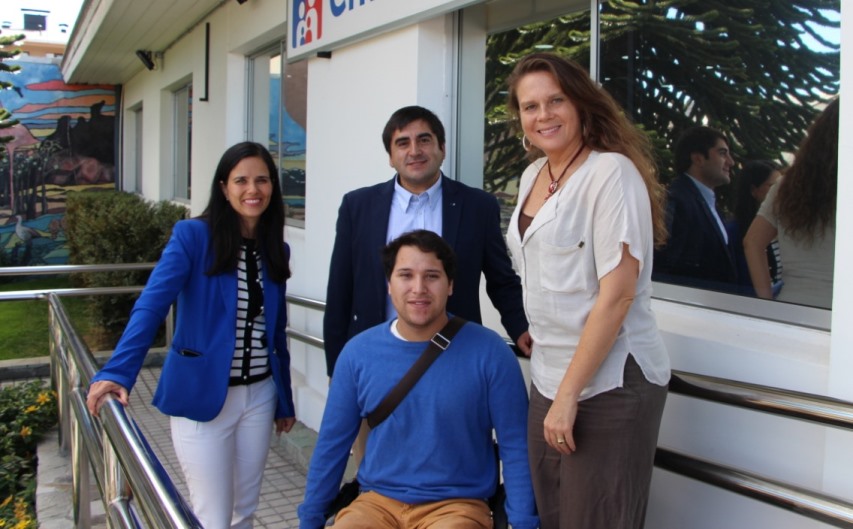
(805, 202)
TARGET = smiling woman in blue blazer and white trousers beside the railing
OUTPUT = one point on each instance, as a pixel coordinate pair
(226, 378)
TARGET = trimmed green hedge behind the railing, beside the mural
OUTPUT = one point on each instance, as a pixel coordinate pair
(115, 227)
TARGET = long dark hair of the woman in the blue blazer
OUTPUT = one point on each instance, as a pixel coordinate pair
(224, 222)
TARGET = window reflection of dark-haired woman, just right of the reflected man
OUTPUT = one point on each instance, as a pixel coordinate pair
(753, 183)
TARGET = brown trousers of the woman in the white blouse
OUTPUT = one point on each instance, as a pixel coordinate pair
(605, 483)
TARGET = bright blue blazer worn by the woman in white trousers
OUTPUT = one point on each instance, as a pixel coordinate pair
(194, 379)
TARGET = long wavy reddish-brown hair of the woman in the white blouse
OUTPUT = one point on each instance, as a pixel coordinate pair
(603, 122)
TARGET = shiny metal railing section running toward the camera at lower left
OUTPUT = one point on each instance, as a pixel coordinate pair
(124, 465)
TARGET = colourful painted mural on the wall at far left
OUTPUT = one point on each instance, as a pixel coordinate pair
(64, 143)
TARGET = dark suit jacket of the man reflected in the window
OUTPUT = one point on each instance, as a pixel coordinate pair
(696, 253)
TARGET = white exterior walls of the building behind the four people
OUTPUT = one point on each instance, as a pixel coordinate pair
(351, 95)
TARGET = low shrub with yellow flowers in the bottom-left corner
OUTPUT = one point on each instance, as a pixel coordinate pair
(27, 412)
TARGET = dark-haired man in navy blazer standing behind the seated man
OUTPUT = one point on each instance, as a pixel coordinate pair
(418, 197)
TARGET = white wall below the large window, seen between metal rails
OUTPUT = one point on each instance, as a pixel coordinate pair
(749, 350)
